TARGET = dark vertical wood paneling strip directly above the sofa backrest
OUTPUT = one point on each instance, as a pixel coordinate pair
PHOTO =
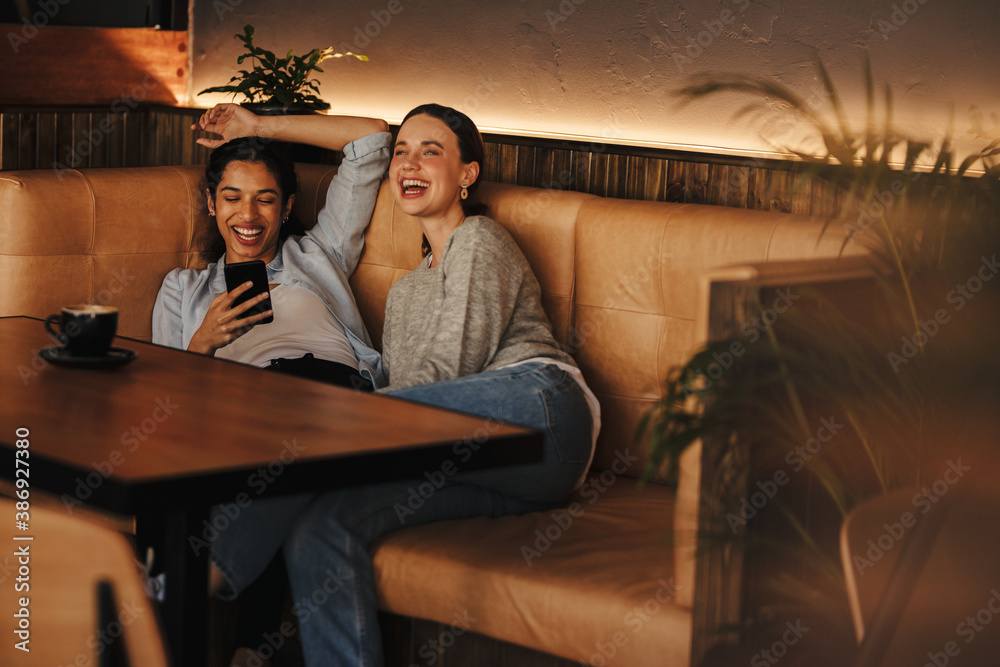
(46, 138)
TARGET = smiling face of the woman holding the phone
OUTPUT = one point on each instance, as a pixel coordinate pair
(249, 210)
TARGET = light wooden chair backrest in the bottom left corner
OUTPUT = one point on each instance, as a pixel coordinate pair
(77, 595)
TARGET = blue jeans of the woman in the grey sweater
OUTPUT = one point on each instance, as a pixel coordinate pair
(326, 549)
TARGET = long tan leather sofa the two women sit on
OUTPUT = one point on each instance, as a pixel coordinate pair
(610, 578)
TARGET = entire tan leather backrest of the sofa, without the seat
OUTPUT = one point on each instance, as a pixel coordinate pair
(620, 278)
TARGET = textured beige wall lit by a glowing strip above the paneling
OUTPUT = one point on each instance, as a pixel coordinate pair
(606, 68)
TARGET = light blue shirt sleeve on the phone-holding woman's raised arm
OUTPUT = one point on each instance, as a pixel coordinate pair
(350, 199)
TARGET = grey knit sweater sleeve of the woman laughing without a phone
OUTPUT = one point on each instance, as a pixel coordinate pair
(481, 286)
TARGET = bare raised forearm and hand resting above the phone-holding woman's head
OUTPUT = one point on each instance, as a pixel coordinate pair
(232, 121)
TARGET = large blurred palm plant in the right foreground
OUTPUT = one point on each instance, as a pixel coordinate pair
(895, 391)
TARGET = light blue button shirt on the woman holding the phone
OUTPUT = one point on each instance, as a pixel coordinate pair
(321, 261)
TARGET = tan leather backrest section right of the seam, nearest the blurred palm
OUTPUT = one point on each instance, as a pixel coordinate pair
(640, 306)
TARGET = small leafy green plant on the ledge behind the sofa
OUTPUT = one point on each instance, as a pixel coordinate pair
(276, 85)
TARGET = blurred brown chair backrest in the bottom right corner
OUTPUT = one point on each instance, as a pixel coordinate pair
(922, 567)
